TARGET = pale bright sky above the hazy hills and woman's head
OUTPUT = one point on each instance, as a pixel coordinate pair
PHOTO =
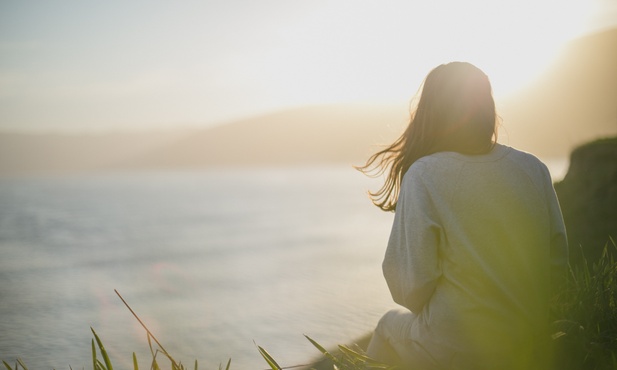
(83, 66)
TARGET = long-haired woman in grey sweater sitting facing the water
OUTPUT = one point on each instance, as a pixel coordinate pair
(477, 235)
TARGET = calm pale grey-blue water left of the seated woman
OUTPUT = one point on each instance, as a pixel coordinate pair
(212, 261)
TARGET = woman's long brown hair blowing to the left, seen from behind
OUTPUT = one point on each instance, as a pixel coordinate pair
(455, 113)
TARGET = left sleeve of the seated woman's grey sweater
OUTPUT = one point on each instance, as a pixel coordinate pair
(411, 264)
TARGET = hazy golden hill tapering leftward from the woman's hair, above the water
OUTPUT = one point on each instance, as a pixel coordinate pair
(324, 134)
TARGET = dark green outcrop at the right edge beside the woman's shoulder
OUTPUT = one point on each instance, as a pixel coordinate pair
(588, 198)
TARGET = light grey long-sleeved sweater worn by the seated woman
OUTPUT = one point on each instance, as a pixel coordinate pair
(474, 244)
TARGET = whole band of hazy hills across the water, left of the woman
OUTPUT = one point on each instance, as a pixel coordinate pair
(310, 135)
